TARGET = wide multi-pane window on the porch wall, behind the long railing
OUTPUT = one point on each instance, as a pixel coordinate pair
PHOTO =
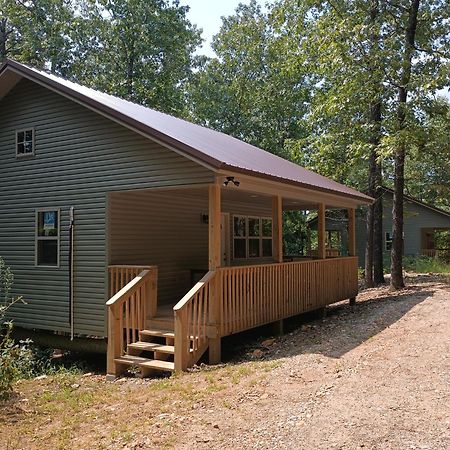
(252, 237)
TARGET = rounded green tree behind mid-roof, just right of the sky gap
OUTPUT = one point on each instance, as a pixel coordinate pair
(245, 90)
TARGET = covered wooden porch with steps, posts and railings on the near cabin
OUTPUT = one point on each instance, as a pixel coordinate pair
(233, 236)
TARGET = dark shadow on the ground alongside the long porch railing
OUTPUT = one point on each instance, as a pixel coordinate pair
(340, 331)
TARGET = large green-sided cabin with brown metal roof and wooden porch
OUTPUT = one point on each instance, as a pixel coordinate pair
(161, 236)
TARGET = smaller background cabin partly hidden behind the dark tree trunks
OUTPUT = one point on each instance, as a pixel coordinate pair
(426, 230)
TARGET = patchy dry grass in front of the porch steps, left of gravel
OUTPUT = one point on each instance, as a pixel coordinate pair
(68, 410)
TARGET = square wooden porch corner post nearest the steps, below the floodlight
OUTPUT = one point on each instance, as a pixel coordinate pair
(214, 262)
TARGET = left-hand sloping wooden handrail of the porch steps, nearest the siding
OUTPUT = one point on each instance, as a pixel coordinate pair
(128, 310)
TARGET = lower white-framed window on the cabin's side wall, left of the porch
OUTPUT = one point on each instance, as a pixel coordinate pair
(47, 238)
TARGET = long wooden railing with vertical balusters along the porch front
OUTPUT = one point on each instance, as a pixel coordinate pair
(255, 295)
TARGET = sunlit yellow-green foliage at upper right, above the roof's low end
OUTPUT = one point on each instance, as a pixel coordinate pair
(354, 49)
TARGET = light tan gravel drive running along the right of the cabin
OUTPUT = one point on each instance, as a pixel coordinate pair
(375, 379)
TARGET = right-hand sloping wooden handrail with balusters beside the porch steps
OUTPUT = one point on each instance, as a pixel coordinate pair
(192, 320)
